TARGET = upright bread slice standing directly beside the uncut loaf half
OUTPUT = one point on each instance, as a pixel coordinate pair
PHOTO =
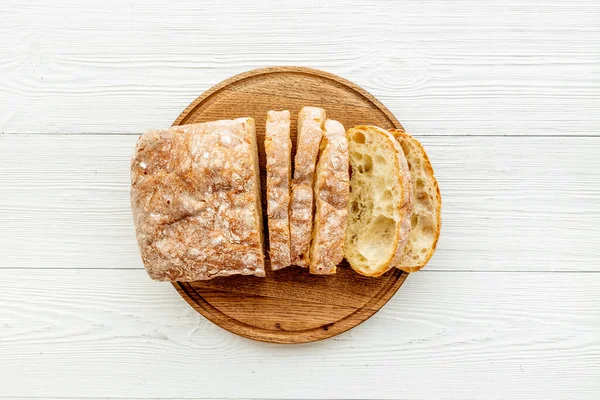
(278, 148)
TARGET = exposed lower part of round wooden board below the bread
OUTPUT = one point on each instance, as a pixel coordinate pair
(291, 306)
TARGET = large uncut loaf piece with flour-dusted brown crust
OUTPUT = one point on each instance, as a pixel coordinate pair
(195, 197)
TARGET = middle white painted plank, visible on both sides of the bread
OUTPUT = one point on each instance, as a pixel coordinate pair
(508, 203)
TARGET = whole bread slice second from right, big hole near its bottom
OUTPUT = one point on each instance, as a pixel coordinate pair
(380, 202)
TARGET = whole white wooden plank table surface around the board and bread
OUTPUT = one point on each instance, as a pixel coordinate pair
(505, 96)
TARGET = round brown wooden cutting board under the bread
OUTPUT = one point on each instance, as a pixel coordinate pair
(289, 305)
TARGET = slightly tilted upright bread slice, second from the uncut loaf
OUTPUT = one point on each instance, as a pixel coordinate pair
(311, 122)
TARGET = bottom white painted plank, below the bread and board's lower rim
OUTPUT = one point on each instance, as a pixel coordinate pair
(443, 336)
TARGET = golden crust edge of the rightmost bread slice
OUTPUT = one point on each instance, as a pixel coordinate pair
(414, 146)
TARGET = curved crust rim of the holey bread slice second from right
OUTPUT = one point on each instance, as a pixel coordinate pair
(402, 226)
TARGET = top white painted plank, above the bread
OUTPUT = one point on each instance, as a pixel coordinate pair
(471, 67)
